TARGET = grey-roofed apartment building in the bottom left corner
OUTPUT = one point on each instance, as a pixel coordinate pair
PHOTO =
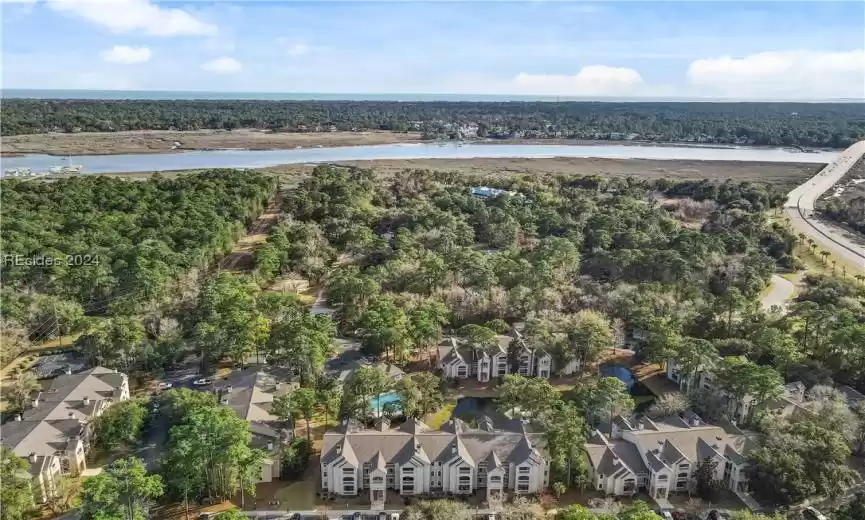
(54, 433)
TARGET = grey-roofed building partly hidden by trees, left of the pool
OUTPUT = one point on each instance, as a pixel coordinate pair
(250, 393)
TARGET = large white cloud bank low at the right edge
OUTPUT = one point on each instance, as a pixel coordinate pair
(782, 75)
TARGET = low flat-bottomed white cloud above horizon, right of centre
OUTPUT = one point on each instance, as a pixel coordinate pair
(592, 80)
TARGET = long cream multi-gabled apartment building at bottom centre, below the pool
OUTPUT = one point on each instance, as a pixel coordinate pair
(414, 459)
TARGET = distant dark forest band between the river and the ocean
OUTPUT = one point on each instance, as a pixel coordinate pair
(834, 125)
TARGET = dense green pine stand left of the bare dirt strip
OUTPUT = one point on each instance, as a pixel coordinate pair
(99, 245)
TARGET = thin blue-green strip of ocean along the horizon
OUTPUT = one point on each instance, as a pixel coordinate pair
(117, 95)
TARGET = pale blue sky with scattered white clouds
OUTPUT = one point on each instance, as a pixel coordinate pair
(737, 50)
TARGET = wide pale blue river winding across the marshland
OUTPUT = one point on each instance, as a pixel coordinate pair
(262, 158)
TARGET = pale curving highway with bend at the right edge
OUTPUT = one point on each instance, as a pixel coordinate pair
(841, 243)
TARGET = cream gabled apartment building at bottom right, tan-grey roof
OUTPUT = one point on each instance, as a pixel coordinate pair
(662, 456)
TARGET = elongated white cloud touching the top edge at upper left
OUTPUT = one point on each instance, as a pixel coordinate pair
(122, 16)
